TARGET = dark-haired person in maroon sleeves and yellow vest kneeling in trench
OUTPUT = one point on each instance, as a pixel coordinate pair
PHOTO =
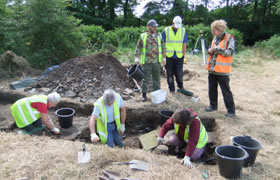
(188, 129)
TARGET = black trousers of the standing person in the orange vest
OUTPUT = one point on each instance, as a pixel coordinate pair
(223, 81)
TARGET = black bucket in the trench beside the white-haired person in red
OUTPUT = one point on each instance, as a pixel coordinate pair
(65, 117)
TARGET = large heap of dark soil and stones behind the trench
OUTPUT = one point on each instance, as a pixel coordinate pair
(87, 77)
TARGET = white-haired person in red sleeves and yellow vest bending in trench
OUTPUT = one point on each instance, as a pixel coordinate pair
(30, 112)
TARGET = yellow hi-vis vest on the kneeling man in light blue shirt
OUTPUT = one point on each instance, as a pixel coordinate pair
(102, 118)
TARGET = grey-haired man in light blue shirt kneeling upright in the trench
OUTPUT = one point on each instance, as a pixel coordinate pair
(110, 113)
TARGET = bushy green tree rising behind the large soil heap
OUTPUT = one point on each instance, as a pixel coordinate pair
(52, 32)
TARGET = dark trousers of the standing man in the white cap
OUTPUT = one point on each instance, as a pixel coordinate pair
(174, 66)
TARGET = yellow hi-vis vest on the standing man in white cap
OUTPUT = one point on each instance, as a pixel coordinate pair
(174, 42)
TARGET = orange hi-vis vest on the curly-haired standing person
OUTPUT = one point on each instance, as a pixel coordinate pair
(223, 63)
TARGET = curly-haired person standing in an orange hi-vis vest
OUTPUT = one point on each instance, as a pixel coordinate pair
(219, 67)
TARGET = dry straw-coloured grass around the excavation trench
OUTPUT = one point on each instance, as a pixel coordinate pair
(256, 89)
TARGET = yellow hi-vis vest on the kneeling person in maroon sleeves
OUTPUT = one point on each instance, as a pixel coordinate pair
(203, 136)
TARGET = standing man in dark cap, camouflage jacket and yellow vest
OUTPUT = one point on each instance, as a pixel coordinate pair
(150, 48)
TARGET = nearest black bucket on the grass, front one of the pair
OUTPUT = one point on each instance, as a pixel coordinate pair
(230, 160)
